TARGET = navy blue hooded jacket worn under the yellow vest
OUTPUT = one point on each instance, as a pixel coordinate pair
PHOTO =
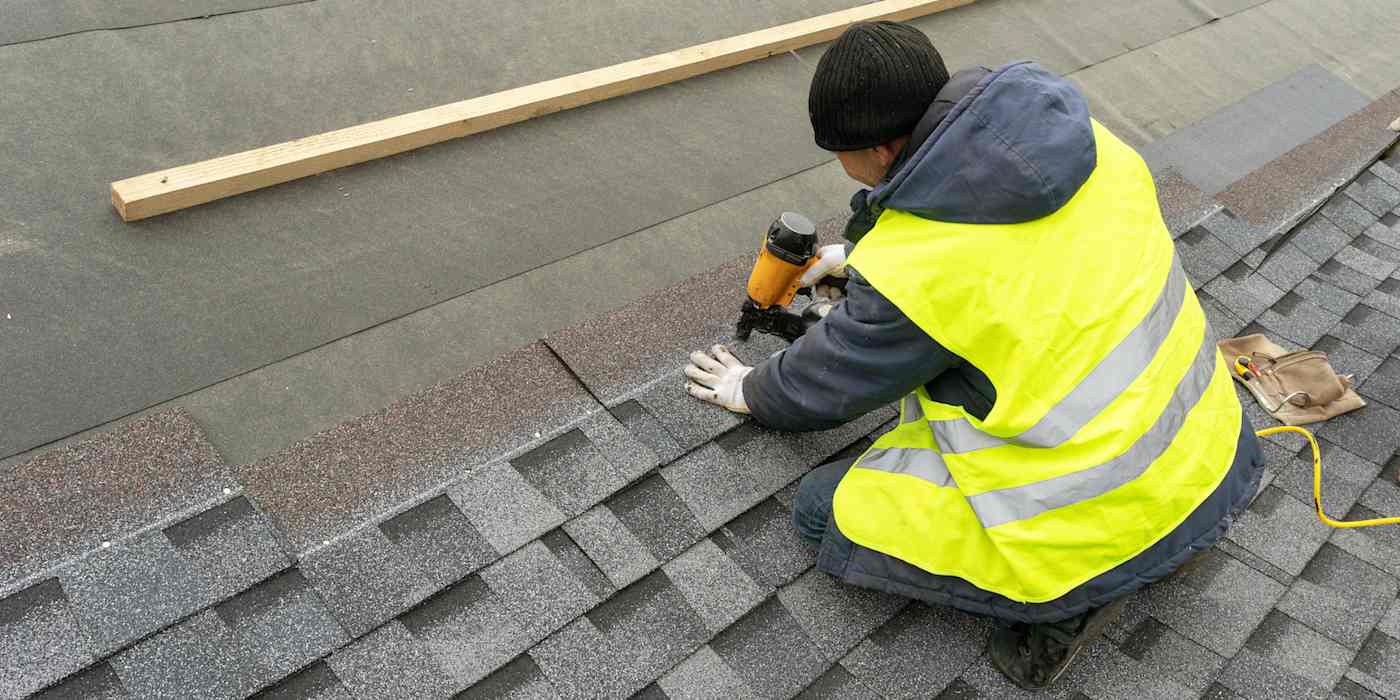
(1004, 146)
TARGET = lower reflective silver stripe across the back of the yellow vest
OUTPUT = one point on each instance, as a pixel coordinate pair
(1027, 502)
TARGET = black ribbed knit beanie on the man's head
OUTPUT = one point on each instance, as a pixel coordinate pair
(873, 86)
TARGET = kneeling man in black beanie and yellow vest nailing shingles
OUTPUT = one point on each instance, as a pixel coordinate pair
(1067, 430)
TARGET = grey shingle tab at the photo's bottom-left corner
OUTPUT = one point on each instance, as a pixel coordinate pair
(40, 640)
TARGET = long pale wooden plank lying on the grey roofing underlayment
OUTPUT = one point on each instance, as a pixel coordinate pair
(201, 183)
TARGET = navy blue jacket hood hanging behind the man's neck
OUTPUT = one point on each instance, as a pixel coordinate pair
(1014, 149)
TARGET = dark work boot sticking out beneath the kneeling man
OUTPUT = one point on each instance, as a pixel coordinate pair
(1037, 656)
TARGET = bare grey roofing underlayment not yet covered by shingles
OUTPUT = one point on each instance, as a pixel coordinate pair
(283, 313)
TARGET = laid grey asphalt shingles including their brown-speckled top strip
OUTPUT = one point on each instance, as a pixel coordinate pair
(566, 523)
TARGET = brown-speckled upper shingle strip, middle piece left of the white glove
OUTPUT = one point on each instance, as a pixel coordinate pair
(362, 468)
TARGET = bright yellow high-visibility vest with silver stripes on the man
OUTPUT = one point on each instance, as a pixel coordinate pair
(1115, 416)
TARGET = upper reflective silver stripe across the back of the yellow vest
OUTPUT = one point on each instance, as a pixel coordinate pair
(1105, 383)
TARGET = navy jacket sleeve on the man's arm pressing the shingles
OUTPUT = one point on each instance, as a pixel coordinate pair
(866, 353)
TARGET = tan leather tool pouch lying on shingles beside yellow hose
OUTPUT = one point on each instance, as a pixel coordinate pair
(1297, 388)
